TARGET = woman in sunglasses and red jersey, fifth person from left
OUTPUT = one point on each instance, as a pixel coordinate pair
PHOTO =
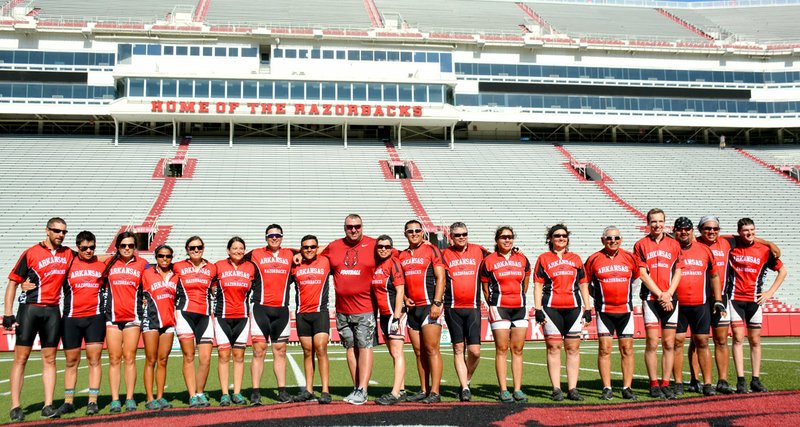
(193, 318)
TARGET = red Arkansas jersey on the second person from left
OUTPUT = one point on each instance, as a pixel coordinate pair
(82, 288)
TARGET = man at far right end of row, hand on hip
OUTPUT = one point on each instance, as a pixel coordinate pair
(748, 262)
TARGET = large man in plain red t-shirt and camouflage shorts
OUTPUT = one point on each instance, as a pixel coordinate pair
(352, 260)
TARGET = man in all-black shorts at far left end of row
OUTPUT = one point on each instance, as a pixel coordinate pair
(40, 271)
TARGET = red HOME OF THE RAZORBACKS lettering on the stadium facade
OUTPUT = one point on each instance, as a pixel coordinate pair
(277, 108)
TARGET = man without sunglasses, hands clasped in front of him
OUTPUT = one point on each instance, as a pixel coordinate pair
(659, 269)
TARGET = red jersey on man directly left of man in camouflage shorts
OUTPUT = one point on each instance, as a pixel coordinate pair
(312, 281)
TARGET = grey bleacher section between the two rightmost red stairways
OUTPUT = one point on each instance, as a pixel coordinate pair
(697, 180)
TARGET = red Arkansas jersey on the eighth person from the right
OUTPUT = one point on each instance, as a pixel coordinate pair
(463, 268)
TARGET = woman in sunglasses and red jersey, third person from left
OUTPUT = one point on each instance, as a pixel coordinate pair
(123, 309)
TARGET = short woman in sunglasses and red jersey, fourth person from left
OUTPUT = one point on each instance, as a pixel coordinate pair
(159, 285)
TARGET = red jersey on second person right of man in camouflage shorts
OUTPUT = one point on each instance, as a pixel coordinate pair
(418, 271)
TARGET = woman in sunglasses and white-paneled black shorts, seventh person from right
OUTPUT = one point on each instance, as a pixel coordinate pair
(505, 275)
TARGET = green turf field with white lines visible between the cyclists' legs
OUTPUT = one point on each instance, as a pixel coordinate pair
(780, 371)
